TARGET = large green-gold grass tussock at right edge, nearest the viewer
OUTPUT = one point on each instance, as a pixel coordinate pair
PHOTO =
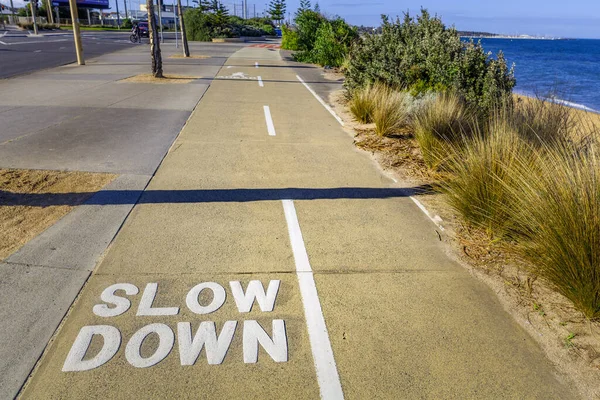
(557, 221)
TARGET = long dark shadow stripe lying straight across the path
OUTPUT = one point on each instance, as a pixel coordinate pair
(119, 197)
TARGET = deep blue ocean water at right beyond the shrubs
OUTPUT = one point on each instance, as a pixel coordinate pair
(569, 70)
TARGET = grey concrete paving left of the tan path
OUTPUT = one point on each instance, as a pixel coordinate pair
(83, 119)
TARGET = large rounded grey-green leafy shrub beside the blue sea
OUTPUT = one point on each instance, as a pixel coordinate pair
(422, 55)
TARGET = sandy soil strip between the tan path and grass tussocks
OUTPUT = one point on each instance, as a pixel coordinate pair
(570, 341)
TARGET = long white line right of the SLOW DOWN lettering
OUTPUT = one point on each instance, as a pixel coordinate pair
(327, 374)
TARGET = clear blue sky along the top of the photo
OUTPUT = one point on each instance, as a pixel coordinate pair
(575, 18)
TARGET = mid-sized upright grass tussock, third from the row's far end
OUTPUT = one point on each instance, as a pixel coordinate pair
(439, 126)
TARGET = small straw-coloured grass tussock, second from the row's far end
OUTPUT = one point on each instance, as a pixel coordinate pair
(391, 113)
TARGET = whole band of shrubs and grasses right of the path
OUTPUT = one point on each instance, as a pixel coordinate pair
(523, 172)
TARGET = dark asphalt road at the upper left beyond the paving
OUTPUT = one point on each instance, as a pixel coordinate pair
(21, 54)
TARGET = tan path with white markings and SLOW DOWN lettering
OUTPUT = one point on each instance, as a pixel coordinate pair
(270, 259)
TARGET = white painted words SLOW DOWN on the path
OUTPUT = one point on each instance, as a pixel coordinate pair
(190, 344)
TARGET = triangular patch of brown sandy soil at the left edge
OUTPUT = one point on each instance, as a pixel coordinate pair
(24, 210)
